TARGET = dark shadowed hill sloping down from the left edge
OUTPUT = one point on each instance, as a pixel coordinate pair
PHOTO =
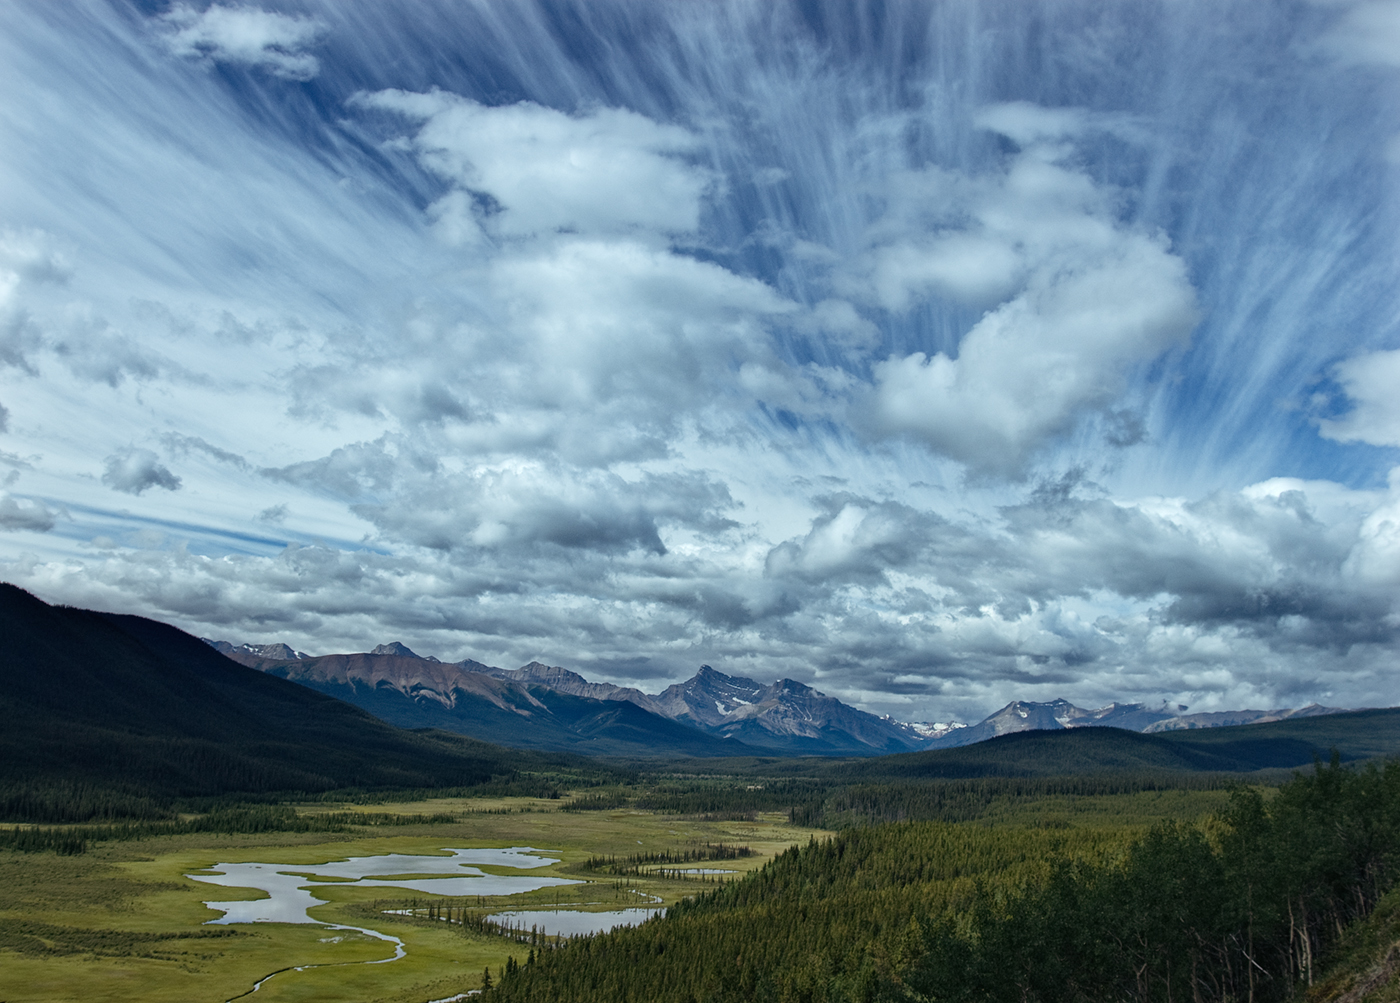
(127, 704)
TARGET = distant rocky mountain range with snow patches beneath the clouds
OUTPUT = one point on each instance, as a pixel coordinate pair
(710, 715)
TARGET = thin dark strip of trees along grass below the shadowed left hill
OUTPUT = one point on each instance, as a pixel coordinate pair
(75, 840)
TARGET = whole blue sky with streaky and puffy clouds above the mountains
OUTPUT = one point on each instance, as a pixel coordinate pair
(934, 355)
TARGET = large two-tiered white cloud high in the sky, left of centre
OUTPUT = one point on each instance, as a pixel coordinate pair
(597, 338)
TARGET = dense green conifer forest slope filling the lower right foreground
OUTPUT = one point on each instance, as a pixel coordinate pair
(1240, 910)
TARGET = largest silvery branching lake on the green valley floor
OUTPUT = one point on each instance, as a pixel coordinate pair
(292, 887)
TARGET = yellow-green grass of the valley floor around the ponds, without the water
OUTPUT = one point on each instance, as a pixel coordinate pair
(124, 922)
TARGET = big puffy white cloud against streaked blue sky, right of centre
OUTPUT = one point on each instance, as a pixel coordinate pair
(1084, 300)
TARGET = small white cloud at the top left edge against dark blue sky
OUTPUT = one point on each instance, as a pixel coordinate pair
(246, 37)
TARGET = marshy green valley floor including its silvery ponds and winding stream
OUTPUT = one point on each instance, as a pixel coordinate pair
(208, 917)
